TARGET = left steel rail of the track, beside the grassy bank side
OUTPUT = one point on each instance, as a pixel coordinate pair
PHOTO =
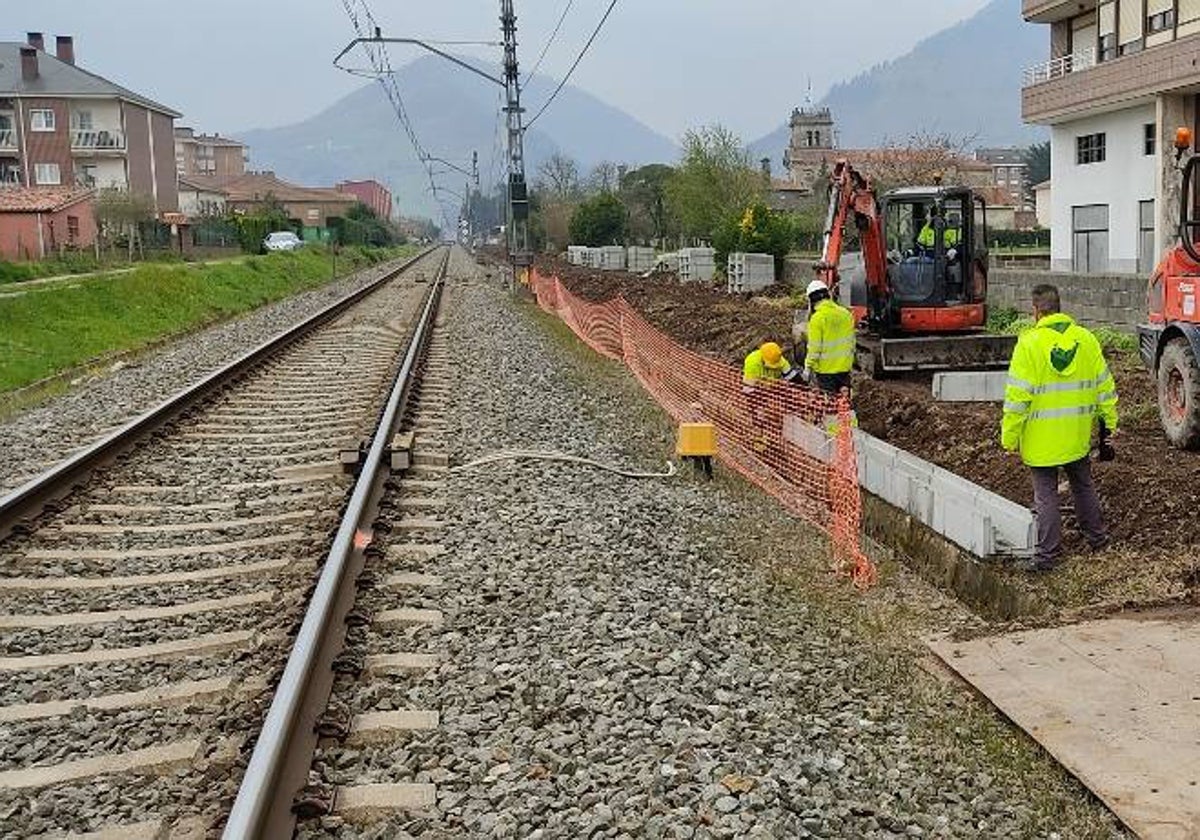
(33, 497)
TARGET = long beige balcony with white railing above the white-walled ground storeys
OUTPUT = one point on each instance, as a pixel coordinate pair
(1076, 86)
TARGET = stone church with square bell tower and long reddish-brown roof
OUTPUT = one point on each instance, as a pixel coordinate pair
(813, 154)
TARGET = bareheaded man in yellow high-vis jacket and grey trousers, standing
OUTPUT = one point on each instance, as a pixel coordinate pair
(1059, 387)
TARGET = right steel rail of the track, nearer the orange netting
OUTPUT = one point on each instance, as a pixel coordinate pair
(279, 766)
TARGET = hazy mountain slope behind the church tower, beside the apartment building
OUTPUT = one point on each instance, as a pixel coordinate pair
(964, 82)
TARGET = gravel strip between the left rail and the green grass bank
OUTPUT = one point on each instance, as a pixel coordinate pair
(41, 436)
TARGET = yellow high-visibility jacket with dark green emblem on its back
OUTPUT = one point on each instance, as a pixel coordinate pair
(1058, 386)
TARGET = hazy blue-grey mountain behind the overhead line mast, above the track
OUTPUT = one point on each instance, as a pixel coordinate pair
(454, 113)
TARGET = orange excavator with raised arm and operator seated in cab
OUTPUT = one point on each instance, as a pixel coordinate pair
(919, 287)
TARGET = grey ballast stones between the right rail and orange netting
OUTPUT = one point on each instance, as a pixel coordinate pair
(669, 658)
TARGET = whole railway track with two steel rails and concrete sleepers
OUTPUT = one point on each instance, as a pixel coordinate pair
(155, 585)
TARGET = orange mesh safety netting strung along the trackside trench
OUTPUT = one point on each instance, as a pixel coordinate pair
(795, 443)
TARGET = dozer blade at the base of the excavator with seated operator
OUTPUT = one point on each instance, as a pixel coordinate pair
(976, 352)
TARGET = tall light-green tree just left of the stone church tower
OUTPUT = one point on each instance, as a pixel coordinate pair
(715, 181)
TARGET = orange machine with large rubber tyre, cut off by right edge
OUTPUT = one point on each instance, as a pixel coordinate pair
(1171, 341)
